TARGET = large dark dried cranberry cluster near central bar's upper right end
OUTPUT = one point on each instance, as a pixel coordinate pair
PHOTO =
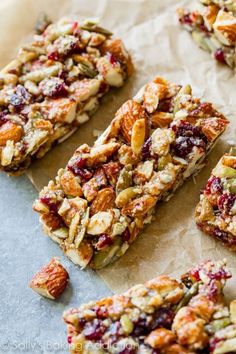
(188, 136)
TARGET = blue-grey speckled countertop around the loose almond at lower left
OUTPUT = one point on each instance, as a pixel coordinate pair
(28, 322)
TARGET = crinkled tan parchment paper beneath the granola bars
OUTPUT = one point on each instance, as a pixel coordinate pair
(172, 243)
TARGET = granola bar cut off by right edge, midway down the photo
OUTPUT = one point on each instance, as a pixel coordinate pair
(216, 212)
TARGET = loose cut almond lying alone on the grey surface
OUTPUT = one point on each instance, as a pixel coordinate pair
(51, 280)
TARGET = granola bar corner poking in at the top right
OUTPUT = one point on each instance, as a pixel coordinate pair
(214, 30)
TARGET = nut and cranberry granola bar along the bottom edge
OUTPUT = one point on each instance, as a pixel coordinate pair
(163, 316)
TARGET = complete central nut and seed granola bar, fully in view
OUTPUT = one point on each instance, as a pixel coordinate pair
(101, 201)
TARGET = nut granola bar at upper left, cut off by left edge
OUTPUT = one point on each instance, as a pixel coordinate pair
(54, 85)
